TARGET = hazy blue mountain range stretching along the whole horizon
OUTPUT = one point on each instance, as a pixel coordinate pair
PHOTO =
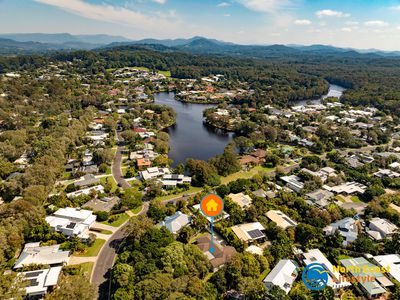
(28, 43)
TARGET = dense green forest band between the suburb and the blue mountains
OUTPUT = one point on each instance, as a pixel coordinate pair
(371, 80)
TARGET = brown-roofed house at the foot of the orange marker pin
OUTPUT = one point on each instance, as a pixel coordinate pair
(221, 254)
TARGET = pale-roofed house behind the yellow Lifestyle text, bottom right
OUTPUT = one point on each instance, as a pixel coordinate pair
(356, 267)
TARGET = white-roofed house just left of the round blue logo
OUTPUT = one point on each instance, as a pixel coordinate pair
(283, 275)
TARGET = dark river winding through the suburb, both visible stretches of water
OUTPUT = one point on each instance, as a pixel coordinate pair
(190, 138)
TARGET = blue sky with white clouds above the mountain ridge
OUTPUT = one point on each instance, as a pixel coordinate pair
(347, 23)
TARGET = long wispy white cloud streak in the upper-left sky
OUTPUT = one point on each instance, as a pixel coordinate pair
(157, 23)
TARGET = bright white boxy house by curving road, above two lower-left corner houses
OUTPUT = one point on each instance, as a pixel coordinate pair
(72, 221)
